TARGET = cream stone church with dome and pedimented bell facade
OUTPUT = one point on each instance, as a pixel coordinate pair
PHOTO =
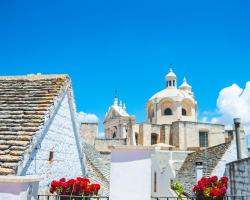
(171, 121)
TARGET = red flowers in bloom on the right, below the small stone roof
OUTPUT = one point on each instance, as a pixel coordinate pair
(211, 188)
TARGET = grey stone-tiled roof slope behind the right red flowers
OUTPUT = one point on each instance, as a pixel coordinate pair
(209, 157)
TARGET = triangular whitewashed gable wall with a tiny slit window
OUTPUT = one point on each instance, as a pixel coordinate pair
(60, 138)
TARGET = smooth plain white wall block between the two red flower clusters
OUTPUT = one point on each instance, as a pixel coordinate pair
(130, 177)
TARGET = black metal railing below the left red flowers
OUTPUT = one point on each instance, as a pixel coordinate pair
(67, 197)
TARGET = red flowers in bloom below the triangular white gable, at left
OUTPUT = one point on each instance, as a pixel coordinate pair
(74, 187)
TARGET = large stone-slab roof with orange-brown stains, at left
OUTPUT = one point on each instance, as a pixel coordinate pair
(25, 102)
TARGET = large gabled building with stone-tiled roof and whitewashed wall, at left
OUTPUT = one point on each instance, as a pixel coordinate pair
(38, 130)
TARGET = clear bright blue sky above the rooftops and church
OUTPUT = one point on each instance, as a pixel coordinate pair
(128, 46)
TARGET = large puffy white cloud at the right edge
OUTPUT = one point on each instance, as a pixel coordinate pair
(233, 102)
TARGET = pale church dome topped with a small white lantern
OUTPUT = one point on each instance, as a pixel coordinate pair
(173, 103)
